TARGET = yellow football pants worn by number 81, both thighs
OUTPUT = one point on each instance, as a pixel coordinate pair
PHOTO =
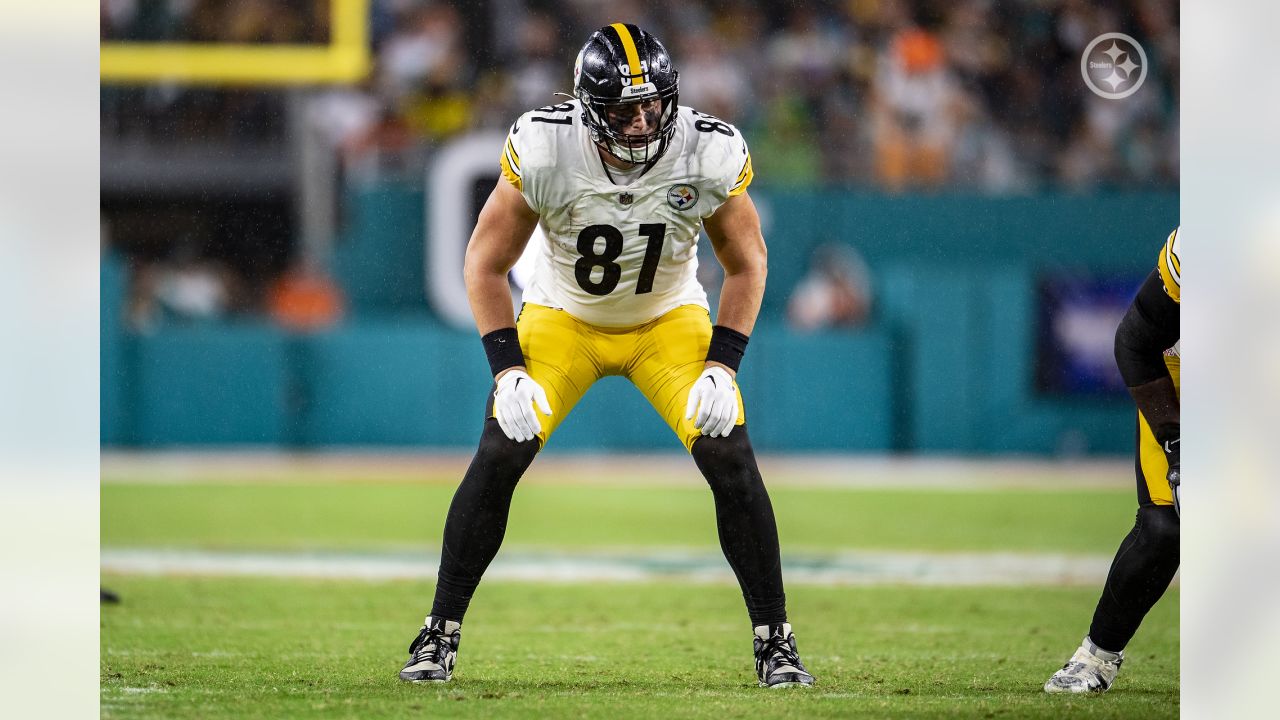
(662, 358)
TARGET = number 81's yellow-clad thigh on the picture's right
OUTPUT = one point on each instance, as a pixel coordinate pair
(671, 354)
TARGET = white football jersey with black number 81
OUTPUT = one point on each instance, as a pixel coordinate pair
(620, 256)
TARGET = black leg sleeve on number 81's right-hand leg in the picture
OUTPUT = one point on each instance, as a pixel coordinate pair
(744, 518)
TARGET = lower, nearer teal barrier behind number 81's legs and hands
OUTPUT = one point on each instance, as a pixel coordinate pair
(403, 384)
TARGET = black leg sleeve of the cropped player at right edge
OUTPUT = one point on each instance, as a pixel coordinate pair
(1140, 576)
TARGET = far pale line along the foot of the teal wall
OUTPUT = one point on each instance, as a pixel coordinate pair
(615, 470)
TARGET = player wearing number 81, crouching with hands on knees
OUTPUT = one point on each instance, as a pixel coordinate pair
(621, 179)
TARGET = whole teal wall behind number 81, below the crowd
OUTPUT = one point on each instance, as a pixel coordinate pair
(947, 367)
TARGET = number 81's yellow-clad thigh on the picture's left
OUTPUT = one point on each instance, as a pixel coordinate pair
(560, 358)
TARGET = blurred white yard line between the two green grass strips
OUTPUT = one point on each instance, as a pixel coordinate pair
(838, 569)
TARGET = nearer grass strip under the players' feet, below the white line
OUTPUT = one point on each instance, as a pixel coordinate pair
(212, 648)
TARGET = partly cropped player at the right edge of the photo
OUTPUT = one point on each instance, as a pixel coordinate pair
(1149, 354)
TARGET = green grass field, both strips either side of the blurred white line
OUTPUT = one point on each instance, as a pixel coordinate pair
(188, 646)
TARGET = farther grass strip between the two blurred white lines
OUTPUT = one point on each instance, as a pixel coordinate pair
(371, 517)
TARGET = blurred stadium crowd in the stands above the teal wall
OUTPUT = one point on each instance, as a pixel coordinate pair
(897, 95)
